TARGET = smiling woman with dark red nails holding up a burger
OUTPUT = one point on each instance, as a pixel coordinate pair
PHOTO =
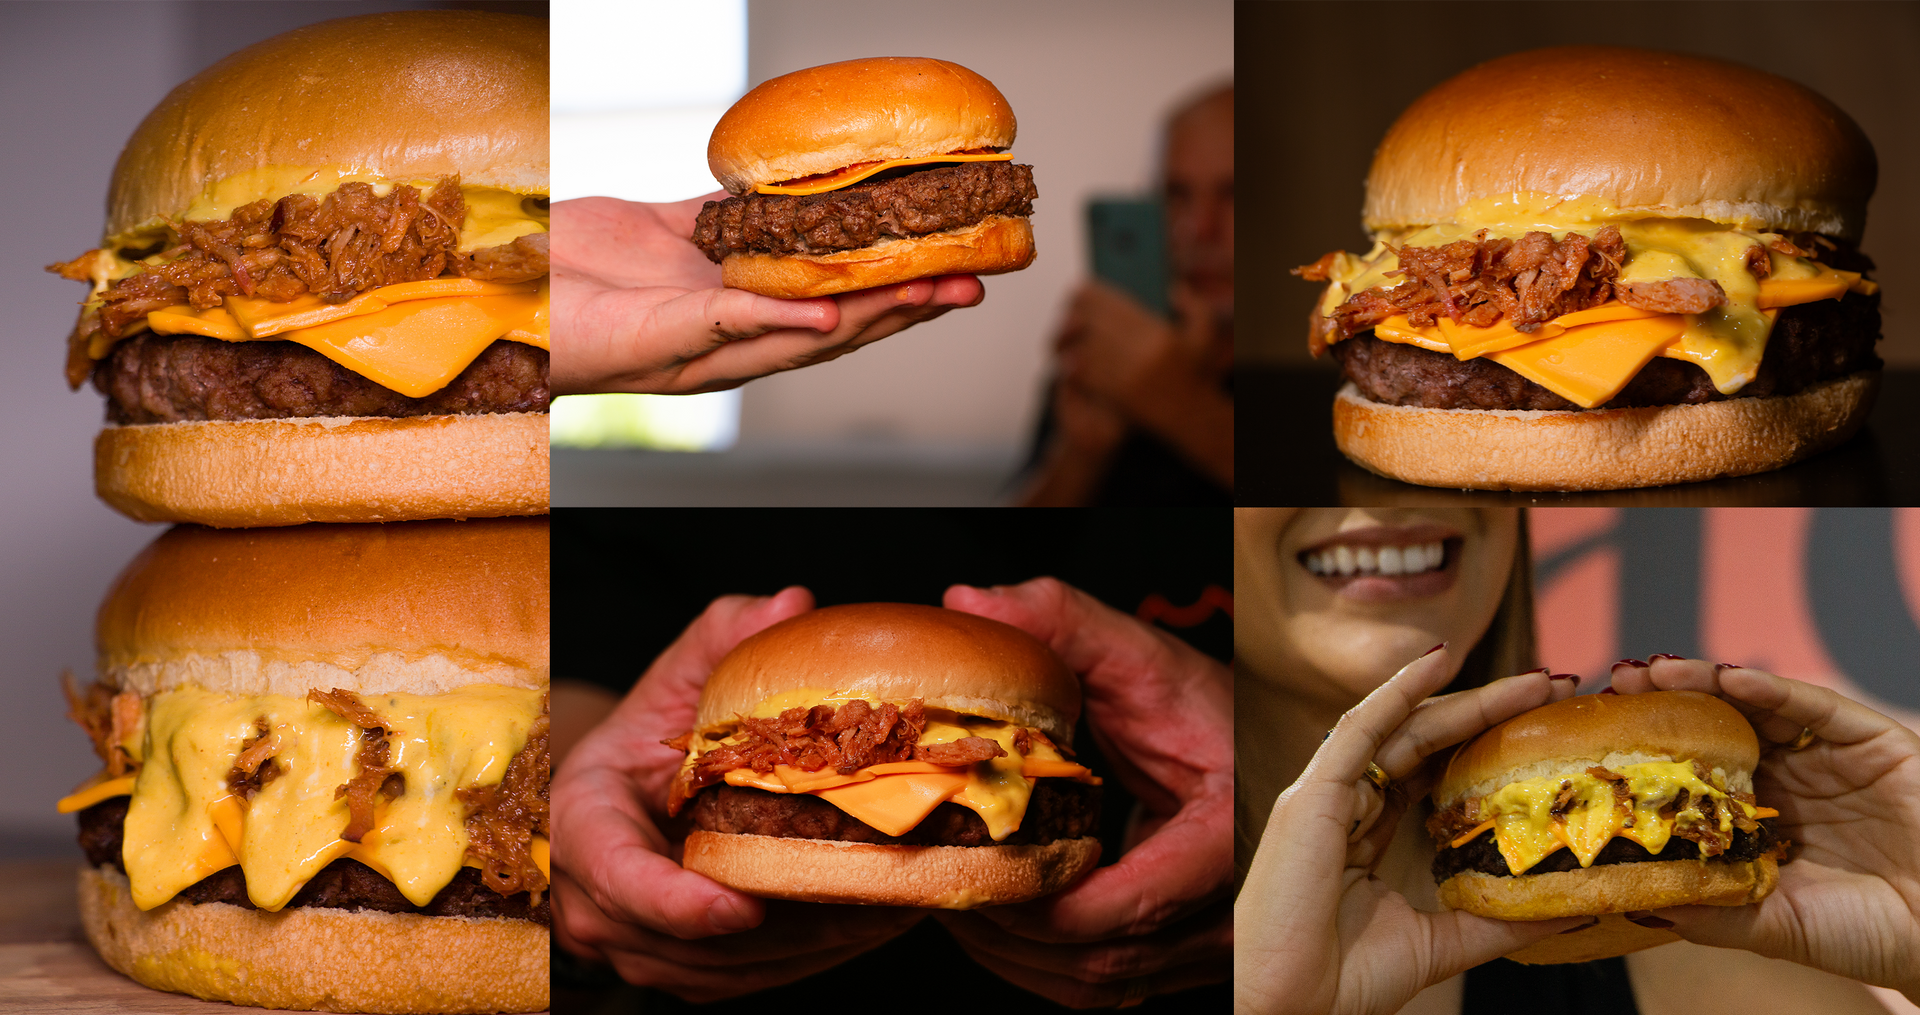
(1337, 907)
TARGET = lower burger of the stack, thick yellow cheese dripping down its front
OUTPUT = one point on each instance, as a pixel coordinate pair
(325, 768)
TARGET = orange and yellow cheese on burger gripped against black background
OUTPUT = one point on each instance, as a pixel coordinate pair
(896, 797)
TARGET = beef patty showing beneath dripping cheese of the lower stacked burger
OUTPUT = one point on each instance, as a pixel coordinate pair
(341, 885)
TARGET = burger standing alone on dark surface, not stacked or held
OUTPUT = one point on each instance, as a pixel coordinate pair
(1602, 268)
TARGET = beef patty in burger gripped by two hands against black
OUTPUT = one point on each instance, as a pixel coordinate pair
(1061, 809)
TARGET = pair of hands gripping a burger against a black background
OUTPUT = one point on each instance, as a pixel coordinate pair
(1155, 922)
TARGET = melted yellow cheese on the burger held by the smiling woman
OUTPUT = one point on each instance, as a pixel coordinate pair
(1525, 828)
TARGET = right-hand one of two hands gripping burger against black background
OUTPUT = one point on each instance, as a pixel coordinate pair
(1163, 715)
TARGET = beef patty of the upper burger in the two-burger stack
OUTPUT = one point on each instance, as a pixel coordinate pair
(178, 379)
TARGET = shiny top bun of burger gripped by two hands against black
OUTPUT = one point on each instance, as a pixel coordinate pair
(896, 651)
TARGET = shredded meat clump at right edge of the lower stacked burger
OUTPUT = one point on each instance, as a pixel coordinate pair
(510, 814)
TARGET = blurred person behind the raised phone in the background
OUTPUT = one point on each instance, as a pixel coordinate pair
(1141, 408)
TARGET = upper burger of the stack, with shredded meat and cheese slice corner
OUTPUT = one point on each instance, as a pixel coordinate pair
(324, 283)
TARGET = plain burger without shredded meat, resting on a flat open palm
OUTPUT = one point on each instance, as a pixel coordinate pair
(867, 174)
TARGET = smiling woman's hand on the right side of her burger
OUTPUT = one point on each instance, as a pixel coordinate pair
(1850, 899)
